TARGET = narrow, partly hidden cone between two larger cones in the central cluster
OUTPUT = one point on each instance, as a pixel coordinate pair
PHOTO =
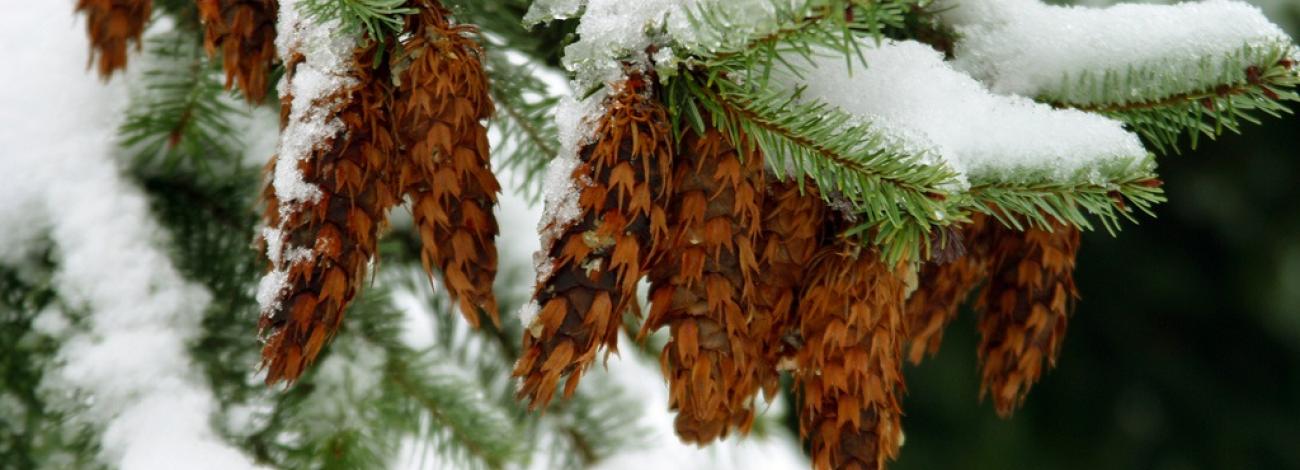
(792, 232)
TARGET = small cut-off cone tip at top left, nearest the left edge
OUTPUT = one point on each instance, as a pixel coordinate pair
(112, 24)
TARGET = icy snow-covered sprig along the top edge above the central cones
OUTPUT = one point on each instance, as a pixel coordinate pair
(614, 33)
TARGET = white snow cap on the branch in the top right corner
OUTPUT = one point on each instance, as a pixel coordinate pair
(1032, 49)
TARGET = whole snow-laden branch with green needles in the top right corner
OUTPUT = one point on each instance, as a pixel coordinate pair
(1167, 71)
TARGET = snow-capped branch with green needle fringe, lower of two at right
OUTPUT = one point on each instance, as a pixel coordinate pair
(1011, 156)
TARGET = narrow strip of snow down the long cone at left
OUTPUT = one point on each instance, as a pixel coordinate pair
(327, 68)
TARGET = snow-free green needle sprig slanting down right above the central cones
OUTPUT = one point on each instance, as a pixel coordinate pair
(898, 197)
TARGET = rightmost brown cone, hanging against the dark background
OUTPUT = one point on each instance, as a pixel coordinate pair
(1025, 310)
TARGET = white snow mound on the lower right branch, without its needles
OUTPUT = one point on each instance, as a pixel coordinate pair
(908, 92)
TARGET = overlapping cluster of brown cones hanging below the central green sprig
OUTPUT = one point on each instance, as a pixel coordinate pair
(752, 277)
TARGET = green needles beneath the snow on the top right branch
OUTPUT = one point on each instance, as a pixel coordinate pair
(1210, 98)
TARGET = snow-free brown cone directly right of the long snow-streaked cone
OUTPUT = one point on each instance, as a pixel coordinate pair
(439, 108)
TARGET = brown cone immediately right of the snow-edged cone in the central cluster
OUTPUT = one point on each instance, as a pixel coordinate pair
(704, 284)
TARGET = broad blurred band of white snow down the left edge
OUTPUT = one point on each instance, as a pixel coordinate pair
(58, 176)
